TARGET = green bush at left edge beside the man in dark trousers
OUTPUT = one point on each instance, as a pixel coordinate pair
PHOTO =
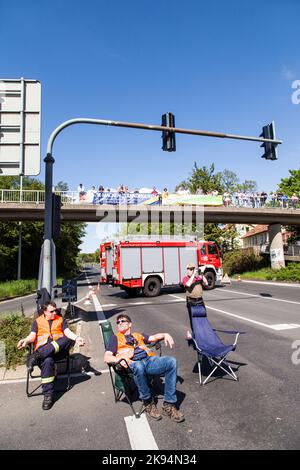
(14, 327)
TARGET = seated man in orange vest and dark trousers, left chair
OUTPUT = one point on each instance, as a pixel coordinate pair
(52, 340)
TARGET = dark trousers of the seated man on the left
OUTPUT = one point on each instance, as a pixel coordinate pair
(49, 354)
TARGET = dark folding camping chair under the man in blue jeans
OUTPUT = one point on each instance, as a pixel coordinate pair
(122, 377)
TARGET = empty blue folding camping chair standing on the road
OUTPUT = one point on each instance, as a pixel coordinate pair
(207, 343)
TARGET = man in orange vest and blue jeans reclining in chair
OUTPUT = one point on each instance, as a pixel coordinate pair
(133, 348)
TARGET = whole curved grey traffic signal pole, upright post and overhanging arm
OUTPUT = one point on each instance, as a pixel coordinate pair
(49, 161)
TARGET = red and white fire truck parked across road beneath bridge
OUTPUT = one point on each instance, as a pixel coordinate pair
(148, 266)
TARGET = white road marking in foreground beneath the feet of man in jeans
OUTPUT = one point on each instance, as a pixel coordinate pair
(140, 434)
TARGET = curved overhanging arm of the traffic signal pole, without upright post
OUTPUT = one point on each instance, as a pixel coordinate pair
(150, 127)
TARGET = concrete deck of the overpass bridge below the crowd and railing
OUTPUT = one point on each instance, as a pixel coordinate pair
(87, 212)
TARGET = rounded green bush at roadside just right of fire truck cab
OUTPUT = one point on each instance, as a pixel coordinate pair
(237, 262)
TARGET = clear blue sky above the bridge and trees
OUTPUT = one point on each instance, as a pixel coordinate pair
(224, 66)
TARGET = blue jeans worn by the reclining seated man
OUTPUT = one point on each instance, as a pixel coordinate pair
(155, 365)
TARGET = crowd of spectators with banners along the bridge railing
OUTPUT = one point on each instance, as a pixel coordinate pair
(122, 194)
